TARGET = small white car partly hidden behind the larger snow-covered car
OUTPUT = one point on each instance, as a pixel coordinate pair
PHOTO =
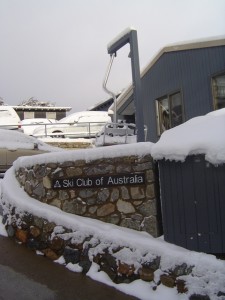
(29, 125)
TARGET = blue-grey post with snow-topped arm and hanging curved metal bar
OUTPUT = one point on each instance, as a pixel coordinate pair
(129, 35)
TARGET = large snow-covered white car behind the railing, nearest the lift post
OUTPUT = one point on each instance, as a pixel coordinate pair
(84, 124)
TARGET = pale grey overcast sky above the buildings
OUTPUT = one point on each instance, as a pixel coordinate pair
(56, 50)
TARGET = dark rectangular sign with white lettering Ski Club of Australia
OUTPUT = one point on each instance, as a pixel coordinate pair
(99, 181)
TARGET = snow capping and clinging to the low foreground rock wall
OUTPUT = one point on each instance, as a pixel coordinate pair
(207, 277)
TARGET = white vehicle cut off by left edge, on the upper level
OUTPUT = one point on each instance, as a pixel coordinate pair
(9, 119)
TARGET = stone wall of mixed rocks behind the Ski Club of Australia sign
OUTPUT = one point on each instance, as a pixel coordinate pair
(133, 206)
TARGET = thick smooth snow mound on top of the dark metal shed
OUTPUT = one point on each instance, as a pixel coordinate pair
(200, 135)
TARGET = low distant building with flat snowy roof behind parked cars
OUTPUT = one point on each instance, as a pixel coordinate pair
(49, 112)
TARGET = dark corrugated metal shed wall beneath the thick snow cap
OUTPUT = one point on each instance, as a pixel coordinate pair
(193, 204)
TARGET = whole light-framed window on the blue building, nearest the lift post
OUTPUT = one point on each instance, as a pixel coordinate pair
(169, 110)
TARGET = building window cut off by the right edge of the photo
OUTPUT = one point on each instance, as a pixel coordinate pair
(218, 87)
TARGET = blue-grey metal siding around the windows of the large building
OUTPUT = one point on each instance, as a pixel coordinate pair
(189, 71)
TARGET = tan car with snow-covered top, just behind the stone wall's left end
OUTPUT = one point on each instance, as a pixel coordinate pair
(15, 144)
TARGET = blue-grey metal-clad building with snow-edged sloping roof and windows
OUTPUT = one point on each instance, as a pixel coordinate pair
(182, 81)
